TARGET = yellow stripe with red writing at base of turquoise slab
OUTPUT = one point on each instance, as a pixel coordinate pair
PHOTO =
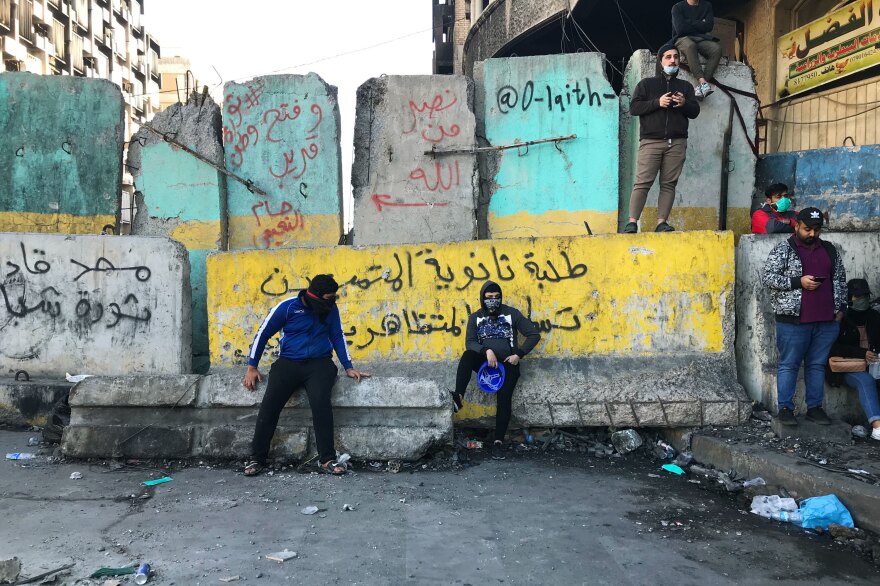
(265, 232)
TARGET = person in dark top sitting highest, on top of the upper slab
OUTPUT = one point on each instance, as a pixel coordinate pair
(692, 21)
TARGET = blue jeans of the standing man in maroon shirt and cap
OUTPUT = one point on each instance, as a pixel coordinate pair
(808, 344)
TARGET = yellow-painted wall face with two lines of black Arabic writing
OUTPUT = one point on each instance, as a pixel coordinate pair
(645, 294)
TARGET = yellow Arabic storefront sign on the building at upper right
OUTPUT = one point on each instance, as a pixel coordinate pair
(841, 43)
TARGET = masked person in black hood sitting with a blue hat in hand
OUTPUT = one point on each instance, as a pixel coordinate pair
(492, 337)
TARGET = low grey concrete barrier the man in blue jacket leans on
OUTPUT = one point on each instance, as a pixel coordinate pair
(214, 416)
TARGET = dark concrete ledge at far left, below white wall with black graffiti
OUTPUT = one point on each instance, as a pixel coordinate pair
(27, 403)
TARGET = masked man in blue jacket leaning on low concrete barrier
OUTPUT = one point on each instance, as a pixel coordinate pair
(310, 330)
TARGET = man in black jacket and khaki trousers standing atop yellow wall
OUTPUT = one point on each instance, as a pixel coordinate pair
(664, 110)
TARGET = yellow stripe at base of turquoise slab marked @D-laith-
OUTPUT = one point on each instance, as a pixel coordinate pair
(555, 223)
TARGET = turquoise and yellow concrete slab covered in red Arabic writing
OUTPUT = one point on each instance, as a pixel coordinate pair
(281, 132)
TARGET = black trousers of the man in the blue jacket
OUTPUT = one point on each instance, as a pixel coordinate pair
(317, 375)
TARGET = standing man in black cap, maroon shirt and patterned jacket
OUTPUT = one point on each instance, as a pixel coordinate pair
(807, 285)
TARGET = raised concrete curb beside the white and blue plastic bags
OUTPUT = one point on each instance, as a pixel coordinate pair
(862, 499)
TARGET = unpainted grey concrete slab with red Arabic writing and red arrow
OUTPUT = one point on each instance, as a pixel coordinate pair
(402, 195)
